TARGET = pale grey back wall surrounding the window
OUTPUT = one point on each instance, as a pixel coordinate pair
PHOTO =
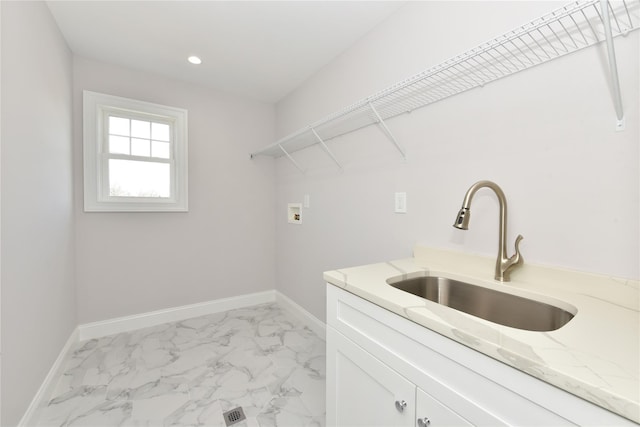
(130, 263)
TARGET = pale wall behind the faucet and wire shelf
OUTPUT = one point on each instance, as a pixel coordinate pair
(545, 135)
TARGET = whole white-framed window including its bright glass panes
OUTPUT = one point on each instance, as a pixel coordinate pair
(135, 155)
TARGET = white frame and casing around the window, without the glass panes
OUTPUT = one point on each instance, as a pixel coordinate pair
(96, 109)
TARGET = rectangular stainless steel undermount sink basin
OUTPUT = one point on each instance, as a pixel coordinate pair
(494, 306)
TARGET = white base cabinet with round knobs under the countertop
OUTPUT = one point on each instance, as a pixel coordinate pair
(375, 358)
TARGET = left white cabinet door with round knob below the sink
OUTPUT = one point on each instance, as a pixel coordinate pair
(362, 391)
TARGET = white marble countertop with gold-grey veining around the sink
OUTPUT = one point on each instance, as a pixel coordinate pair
(595, 356)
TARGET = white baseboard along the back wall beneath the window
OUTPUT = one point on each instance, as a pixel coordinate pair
(158, 317)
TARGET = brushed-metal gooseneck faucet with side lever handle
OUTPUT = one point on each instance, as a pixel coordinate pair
(504, 264)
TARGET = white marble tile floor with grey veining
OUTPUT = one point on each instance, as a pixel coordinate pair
(188, 373)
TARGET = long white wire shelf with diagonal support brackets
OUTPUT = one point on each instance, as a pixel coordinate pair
(565, 30)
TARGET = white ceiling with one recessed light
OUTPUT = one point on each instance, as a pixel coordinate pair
(257, 49)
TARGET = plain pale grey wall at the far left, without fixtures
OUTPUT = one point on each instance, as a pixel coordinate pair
(38, 293)
